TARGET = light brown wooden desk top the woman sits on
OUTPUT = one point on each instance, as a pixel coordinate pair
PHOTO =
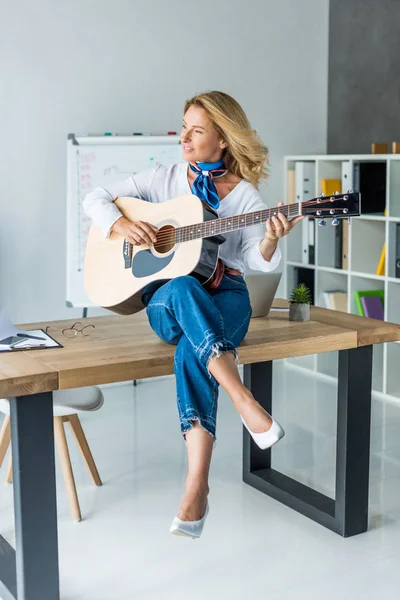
(125, 347)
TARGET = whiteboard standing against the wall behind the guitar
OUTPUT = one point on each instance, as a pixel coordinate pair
(96, 161)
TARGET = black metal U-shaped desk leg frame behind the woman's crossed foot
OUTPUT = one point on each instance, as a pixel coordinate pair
(347, 514)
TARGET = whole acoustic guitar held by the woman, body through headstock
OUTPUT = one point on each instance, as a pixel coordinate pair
(188, 240)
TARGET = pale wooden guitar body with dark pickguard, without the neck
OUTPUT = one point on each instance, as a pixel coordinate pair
(116, 272)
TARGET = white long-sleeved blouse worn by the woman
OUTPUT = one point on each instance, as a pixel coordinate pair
(159, 184)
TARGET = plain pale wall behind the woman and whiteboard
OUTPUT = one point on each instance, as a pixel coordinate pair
(128, 65)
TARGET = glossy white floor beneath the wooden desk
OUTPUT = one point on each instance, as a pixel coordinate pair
(252, 546)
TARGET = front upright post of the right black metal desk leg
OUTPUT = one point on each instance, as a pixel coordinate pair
(353, 440)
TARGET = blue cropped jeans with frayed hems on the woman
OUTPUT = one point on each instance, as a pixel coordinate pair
(202, 324)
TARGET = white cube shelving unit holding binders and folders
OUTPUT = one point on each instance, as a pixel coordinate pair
(367, 234)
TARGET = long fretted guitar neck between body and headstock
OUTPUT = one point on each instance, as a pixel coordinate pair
(227, 224)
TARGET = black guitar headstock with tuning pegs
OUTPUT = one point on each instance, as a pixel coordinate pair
(333, 207)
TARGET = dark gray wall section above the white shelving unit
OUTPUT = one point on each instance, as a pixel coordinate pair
(364, 74)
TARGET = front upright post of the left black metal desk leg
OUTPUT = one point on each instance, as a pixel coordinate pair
(35, 506)
